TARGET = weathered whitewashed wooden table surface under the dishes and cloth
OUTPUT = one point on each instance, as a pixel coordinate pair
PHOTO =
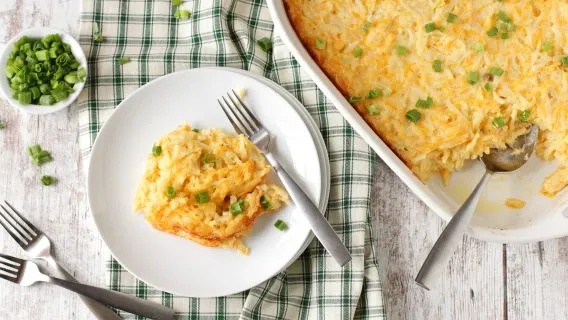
(483, 281)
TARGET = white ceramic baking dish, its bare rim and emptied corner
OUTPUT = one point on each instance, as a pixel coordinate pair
(541, 218)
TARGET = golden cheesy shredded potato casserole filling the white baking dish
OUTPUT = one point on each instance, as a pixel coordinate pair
(358, 44)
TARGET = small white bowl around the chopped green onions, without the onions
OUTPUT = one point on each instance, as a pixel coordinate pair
(35, 33)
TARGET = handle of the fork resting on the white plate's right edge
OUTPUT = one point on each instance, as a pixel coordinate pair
(320, 226)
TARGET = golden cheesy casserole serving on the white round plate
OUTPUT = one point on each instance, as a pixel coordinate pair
(228, 168)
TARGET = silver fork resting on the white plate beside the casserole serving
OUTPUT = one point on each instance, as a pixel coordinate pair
(246, 123)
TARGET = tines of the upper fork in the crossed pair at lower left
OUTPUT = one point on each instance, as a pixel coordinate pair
(17, 226)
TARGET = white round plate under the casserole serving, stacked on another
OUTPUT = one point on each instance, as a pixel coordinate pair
(171, 263)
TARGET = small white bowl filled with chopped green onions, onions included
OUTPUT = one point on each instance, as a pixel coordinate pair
(44, 70)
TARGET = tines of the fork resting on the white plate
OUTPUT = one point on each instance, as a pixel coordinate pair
(243, 122)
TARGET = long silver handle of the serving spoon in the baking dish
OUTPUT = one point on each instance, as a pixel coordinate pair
(450, 238)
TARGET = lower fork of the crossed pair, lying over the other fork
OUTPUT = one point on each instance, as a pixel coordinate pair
(27, 273)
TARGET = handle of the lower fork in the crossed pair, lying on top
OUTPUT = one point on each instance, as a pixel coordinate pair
(118, 300)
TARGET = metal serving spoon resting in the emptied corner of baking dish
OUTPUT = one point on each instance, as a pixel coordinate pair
(497, 161)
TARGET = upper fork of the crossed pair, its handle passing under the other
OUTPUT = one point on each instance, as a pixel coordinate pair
(37, 246)
